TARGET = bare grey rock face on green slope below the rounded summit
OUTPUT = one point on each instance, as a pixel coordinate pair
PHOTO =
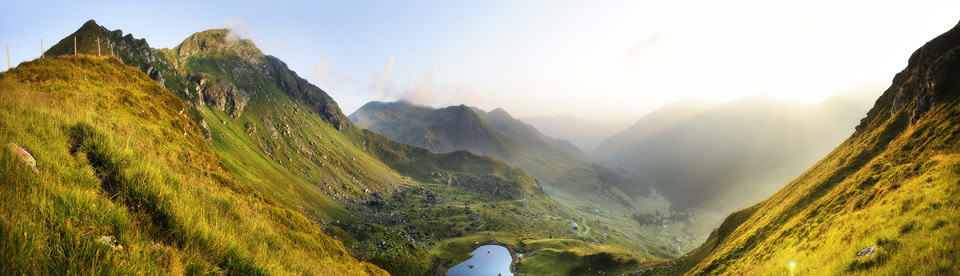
(220, 95)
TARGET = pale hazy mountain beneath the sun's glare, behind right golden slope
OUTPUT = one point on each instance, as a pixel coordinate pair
(700, 155)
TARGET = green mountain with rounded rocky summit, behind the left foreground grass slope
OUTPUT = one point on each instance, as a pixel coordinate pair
(287, 141)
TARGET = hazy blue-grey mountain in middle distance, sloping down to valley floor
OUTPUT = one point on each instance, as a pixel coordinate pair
(606, 194)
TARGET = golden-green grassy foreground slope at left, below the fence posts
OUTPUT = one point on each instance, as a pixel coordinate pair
(118, 157)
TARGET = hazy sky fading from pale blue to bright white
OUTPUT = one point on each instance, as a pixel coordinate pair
(594, 59)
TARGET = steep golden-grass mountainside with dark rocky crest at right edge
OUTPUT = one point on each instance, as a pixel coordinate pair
(883, 202)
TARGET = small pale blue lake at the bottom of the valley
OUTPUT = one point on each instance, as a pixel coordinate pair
(487, 260)
